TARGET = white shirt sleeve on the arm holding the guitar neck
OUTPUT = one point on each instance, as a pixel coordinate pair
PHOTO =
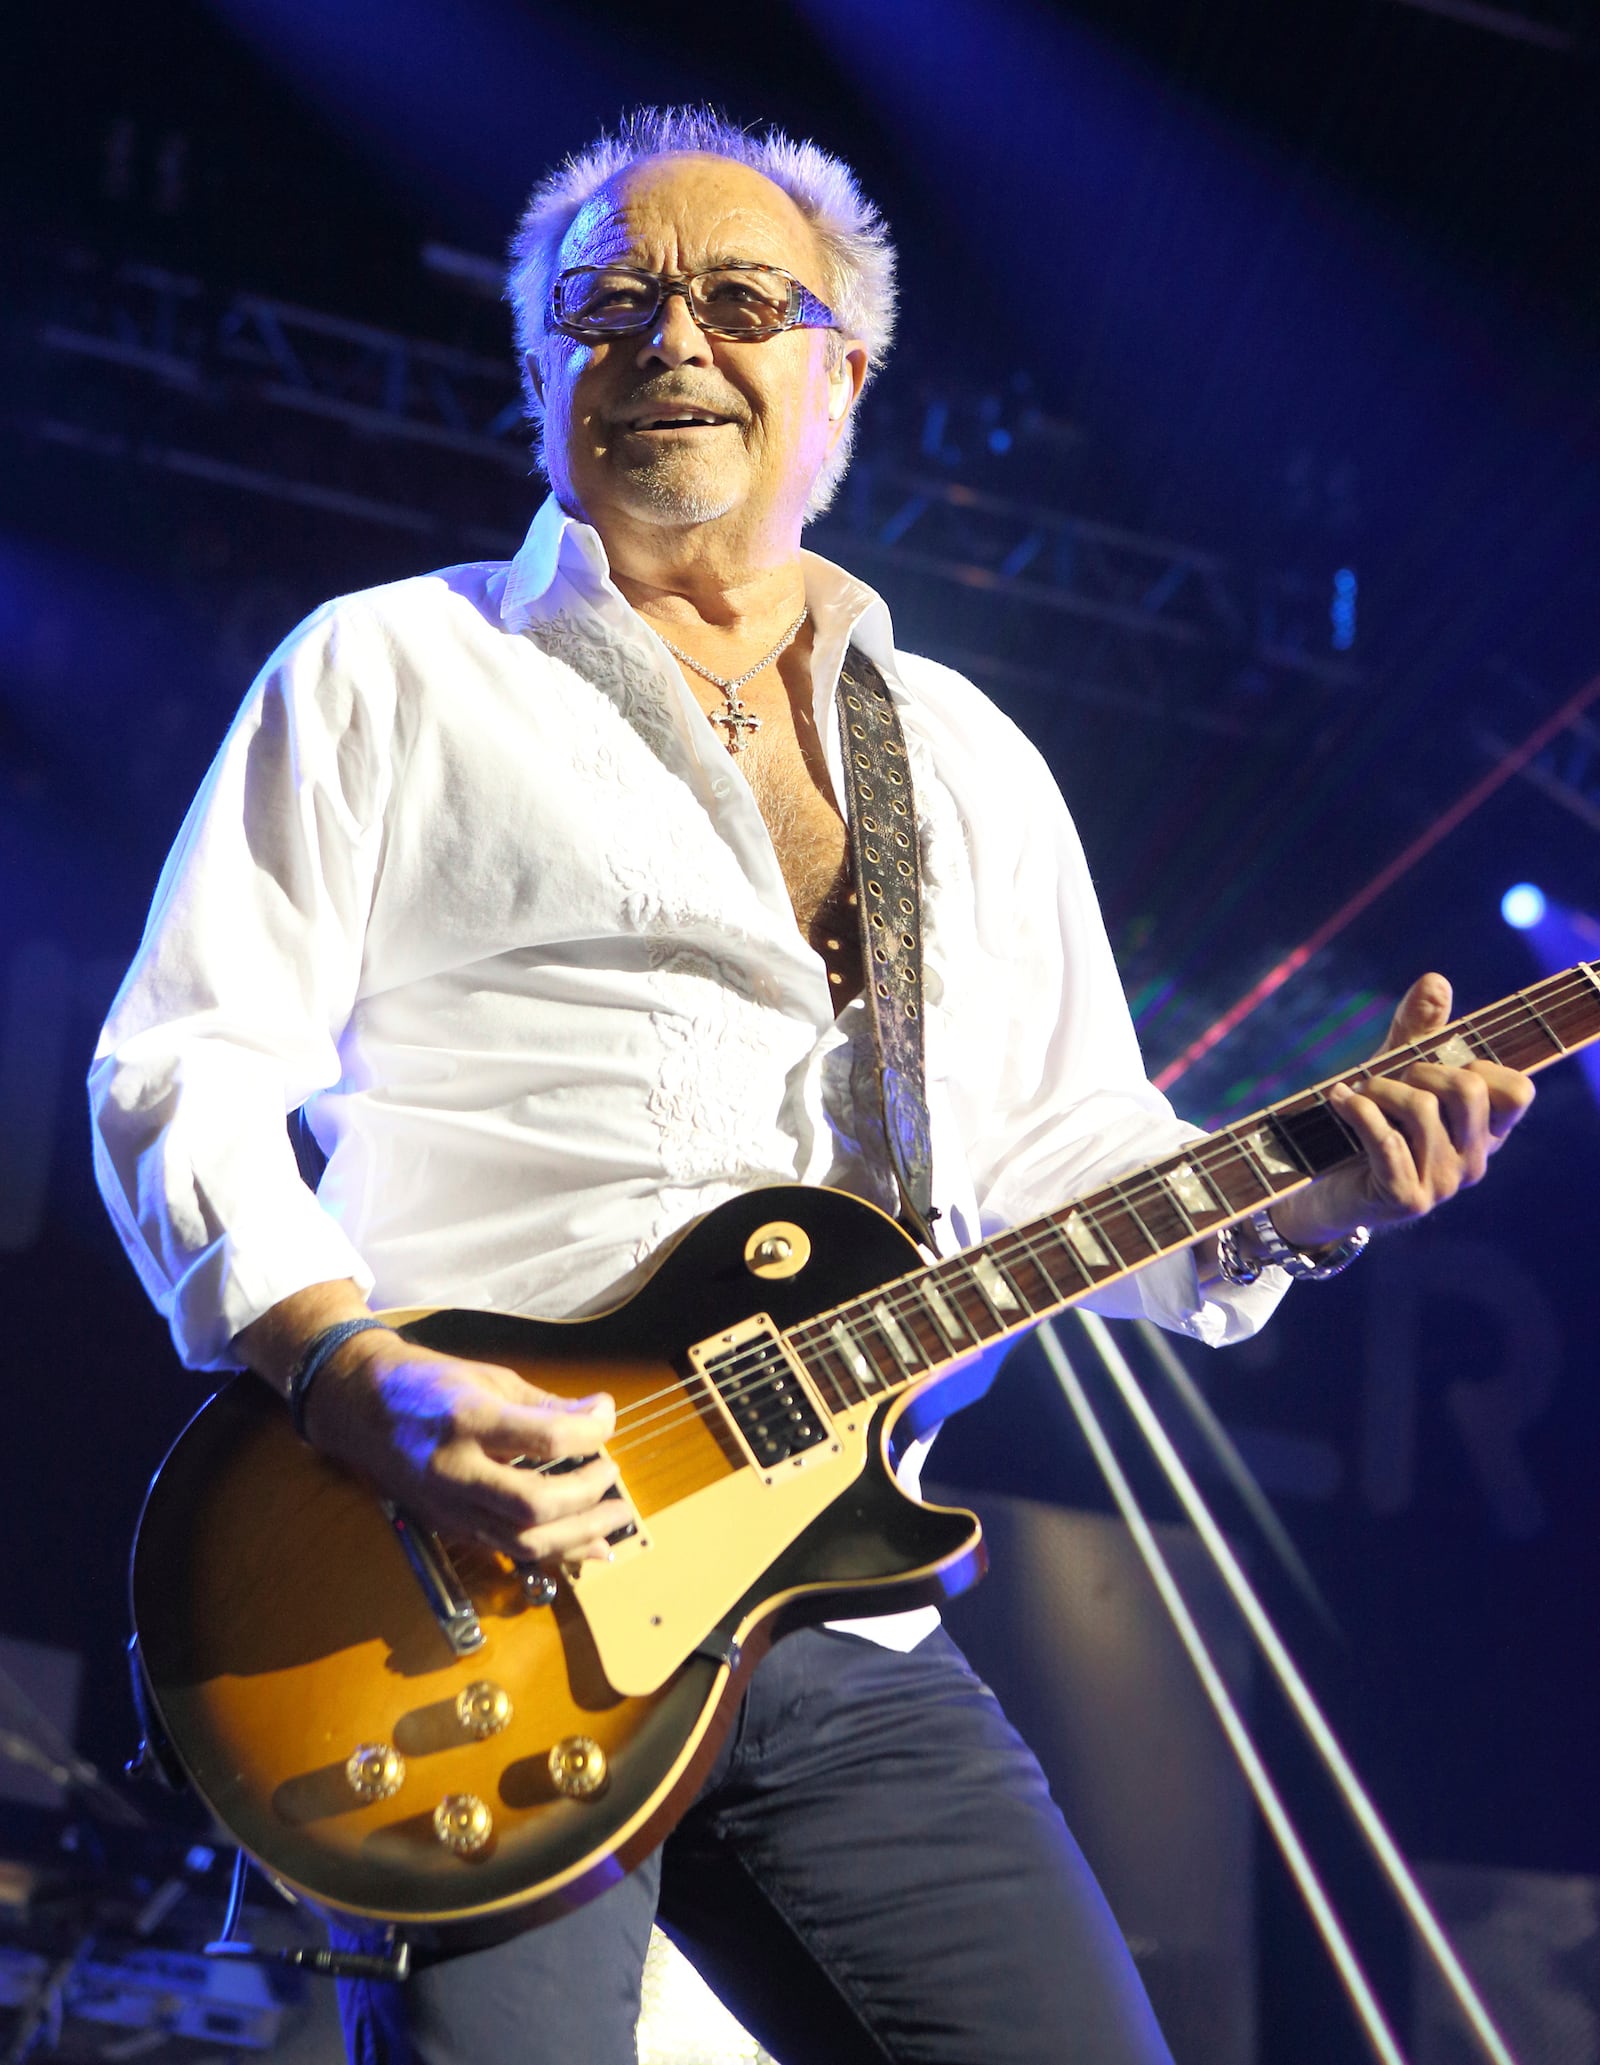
(1066, 1104)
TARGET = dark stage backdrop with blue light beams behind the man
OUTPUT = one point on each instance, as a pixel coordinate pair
(1242, 443)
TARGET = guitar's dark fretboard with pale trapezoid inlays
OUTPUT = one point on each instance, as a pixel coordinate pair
(934, 1319)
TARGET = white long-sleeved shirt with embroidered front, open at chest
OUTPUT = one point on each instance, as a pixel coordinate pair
(476, 883)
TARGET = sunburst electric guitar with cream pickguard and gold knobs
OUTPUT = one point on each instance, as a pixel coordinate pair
(435, 1736)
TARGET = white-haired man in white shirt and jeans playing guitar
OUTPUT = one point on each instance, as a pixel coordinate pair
(532, 885)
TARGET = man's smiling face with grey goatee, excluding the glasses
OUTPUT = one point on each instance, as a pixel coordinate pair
(767, 414)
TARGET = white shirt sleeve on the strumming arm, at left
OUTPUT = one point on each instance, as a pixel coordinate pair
(232, 1011)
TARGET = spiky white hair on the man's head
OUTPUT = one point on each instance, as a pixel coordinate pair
(854, 243)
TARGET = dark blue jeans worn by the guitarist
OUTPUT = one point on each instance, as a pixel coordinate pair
(872, 1872)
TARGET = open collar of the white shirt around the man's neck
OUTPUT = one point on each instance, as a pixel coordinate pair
(565, 552)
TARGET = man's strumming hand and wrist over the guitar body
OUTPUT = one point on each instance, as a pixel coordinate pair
(445, 1438)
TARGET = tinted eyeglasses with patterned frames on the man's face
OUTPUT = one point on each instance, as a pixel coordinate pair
(728, 300)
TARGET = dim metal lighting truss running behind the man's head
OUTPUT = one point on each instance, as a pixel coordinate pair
(1137, 623)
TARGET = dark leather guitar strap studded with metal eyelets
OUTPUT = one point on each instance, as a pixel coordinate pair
(889, 887)
